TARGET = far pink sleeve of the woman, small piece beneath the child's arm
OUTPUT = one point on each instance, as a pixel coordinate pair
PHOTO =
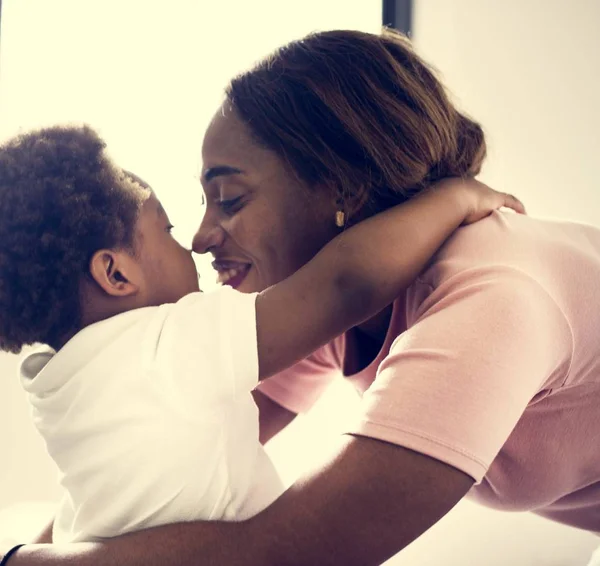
(298, 388)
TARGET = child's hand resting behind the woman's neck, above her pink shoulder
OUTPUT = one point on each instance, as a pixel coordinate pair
(479, 199)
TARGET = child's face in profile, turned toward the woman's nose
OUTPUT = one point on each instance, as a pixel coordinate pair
(168, 270)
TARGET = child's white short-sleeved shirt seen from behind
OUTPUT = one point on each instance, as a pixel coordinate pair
(150, 418)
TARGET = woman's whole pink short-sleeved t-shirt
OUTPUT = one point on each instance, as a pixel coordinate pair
(492, 365)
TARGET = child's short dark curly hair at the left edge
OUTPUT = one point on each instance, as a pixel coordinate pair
(61, 200)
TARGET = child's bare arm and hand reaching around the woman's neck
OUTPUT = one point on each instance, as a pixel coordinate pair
(363, 270)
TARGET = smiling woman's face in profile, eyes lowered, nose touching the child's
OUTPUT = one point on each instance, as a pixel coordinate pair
(261, 223)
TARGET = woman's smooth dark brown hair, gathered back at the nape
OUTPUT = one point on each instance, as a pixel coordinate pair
(360, 113)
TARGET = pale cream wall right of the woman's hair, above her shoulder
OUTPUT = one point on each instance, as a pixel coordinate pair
(529, 71)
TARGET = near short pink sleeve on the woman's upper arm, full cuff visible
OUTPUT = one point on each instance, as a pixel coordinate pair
(456, 383)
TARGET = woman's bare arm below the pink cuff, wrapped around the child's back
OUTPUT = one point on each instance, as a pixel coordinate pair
(367, 504)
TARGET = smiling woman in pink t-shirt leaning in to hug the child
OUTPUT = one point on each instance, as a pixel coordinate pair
(483, 378)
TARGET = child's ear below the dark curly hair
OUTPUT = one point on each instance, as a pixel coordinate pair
(116, 272)
